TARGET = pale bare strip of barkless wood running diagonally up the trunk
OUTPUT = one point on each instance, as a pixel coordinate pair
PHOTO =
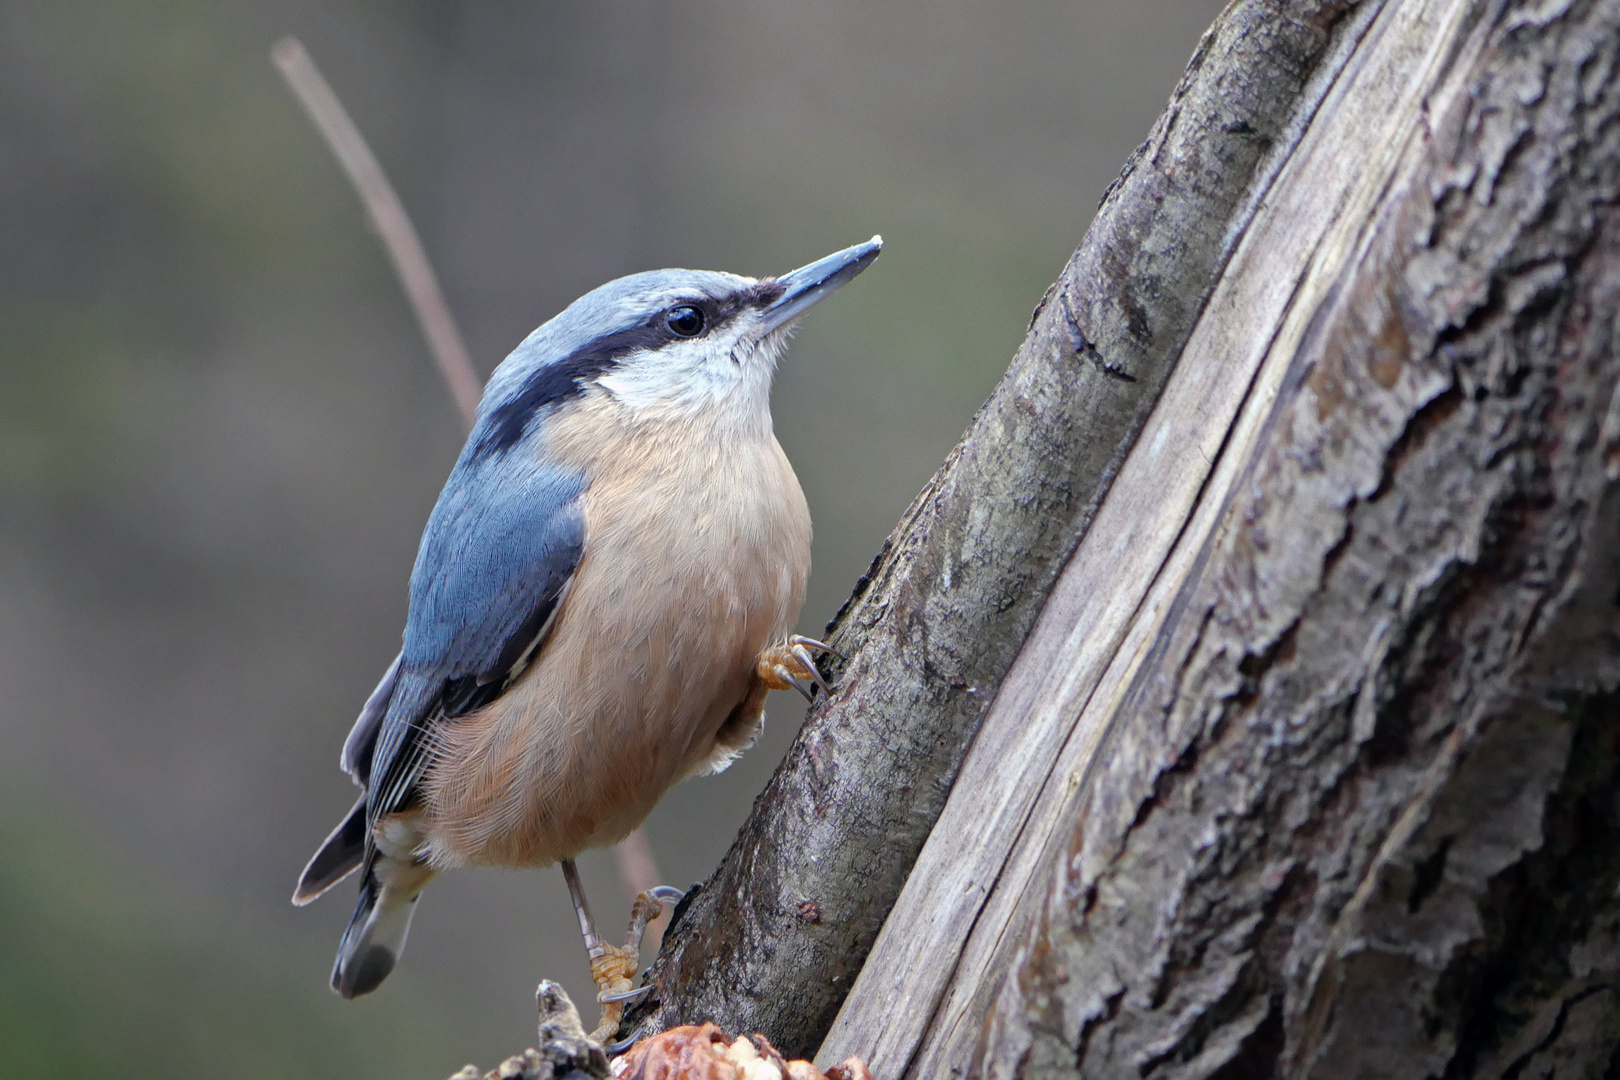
(1018, 783)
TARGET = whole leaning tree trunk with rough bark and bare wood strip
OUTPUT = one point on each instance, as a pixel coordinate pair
(1294, 720)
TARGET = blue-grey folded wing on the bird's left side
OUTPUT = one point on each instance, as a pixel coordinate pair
(495, 564)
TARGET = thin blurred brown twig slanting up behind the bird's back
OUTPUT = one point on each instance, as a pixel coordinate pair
(388, 215)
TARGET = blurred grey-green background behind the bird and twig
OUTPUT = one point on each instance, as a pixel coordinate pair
(221, 433)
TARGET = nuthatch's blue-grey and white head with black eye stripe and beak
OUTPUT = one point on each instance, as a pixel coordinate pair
(667, 341)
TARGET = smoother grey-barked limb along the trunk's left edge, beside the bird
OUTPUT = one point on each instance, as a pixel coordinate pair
(778, 935)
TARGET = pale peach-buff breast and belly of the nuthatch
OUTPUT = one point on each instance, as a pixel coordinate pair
(684, 582)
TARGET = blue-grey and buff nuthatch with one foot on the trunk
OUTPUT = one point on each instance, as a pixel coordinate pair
(603, 597)
